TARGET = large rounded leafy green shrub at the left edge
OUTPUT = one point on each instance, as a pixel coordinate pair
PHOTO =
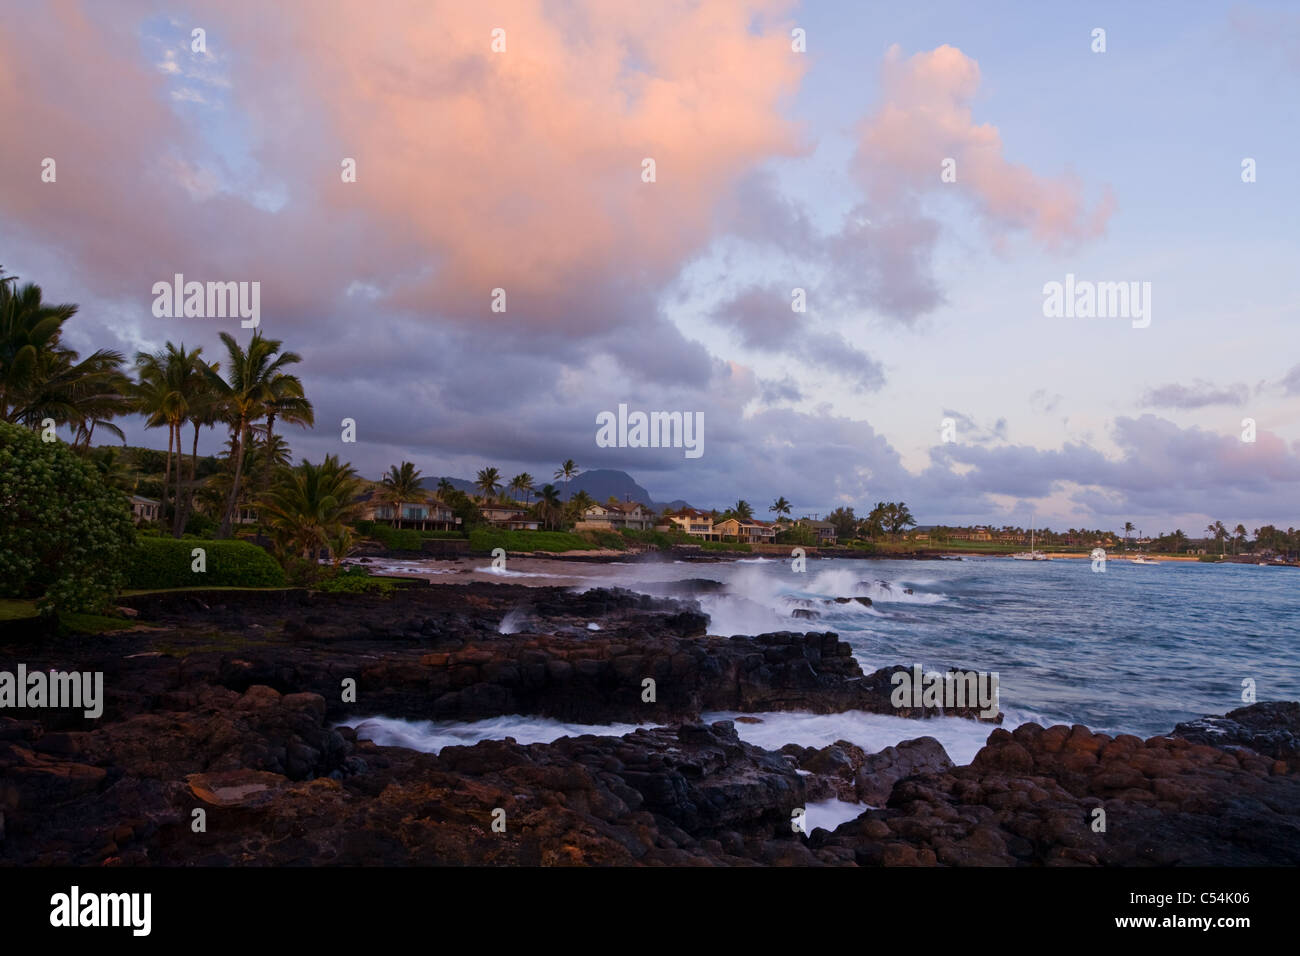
(64, 534)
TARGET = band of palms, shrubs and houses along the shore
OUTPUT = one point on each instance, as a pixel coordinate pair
(127, 518)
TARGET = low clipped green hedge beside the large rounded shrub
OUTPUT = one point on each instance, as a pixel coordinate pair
(164, 563)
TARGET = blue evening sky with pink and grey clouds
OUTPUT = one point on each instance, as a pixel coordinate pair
(925, 366)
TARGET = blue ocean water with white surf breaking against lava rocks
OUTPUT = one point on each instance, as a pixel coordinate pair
(1134, 650)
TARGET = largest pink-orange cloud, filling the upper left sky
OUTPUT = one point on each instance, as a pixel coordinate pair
(475, 170)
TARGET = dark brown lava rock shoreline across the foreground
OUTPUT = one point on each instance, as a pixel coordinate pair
(235, 704)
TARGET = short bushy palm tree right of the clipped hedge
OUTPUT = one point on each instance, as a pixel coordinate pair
(310, 507)
